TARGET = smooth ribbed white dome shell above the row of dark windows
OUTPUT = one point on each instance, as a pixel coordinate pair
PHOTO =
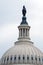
(23, 50)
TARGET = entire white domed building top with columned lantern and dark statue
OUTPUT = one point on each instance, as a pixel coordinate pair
(23, 52)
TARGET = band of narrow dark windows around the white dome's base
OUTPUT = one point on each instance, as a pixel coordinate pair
(21, 60)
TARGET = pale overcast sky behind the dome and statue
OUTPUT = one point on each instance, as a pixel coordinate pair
(11, 17)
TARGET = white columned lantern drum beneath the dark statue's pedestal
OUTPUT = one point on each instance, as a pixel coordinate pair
(24, 32)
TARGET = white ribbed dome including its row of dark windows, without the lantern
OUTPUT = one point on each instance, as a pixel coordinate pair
(30, 53)
